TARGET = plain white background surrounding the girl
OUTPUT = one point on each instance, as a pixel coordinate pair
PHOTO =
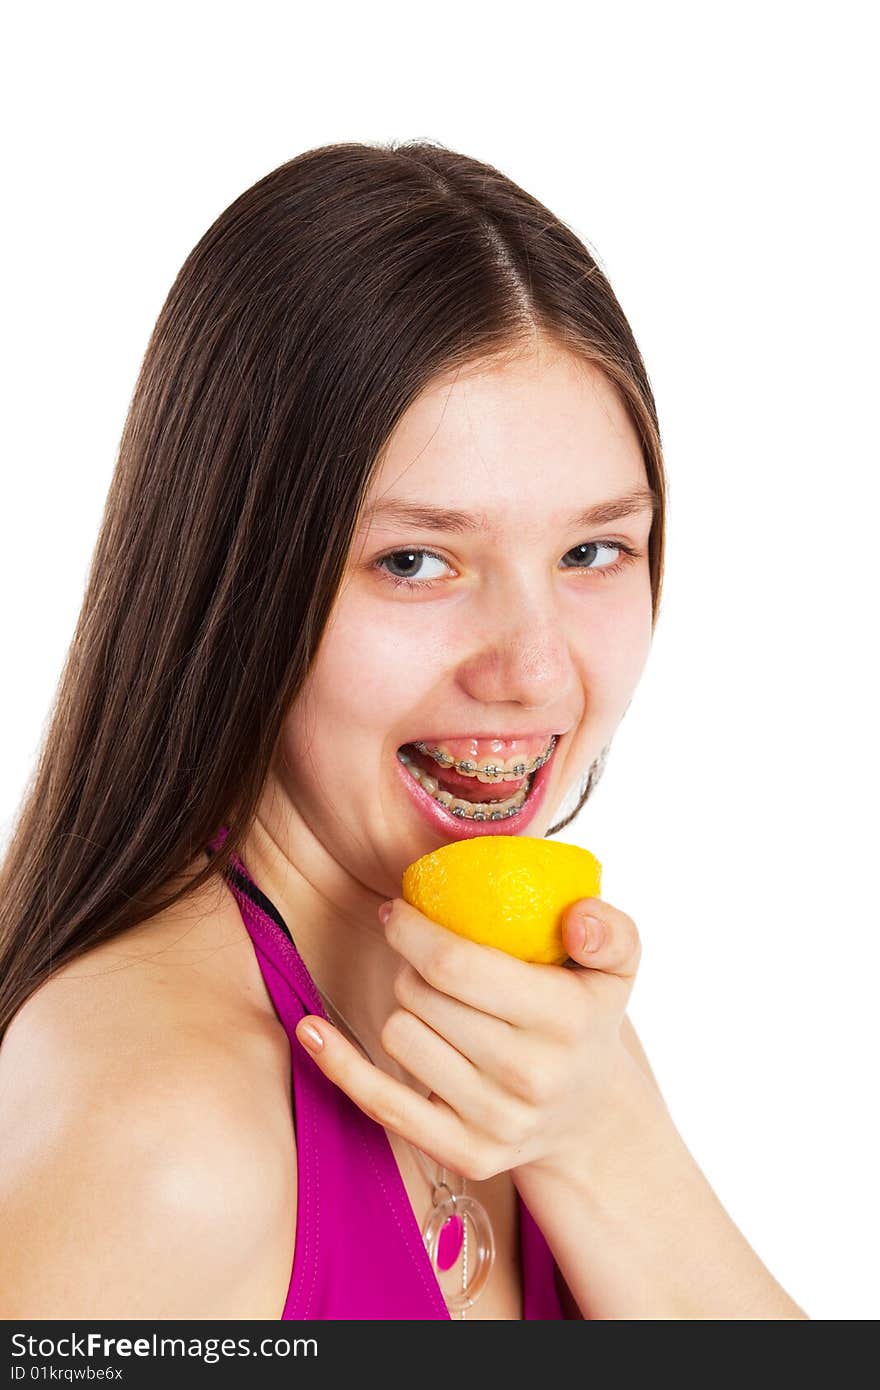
(719, 161)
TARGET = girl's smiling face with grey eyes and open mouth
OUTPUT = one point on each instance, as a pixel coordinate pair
(522, 619)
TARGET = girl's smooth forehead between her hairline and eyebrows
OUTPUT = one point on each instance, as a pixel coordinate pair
(522, 441)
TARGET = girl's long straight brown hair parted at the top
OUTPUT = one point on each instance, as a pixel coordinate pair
(298, 332)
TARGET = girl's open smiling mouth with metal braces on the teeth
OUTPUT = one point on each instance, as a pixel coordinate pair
(489, 794)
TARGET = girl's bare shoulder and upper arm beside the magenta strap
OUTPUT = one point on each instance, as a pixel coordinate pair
(148, 1160)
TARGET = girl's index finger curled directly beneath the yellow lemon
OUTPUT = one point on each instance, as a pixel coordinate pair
(519, 992)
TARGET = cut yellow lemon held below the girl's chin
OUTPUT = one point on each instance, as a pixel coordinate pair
(507, 892)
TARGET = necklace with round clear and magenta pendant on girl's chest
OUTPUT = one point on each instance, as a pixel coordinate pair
(446, 1227)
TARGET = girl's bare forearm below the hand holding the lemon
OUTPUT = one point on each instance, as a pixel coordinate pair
(637, 1231)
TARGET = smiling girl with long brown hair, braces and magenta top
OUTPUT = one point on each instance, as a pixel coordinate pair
(380, 569)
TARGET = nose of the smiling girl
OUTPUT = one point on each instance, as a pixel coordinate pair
(525, 655)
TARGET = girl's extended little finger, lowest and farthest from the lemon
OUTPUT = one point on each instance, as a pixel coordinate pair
(429, 1124)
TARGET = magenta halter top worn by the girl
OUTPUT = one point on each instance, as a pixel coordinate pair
(359, 1252)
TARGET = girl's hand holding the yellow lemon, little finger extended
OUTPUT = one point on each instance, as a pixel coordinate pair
(525, 1061)
